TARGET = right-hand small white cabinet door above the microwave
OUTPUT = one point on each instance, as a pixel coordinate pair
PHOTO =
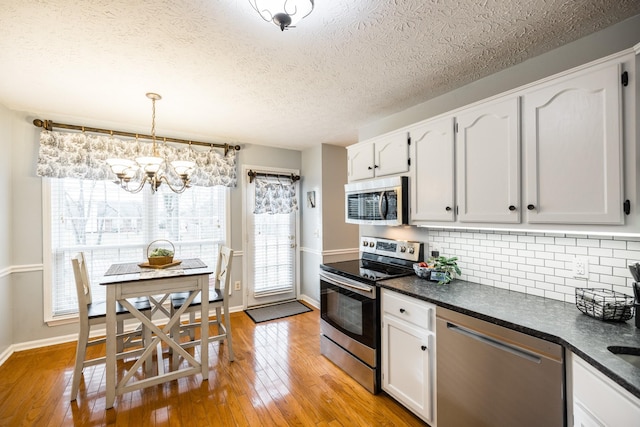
(392, 154)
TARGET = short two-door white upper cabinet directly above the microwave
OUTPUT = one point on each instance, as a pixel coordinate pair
(382, 156)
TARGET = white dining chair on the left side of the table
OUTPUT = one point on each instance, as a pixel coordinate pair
(94, 313)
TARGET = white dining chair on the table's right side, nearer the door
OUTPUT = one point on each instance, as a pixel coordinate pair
(219, 296)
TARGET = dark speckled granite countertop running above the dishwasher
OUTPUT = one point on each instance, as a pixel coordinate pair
(548, 319)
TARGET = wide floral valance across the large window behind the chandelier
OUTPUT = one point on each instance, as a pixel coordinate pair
(81, 155)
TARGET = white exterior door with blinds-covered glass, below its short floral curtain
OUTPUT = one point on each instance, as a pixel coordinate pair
(271, 254)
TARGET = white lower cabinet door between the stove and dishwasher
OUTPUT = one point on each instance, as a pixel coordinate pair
(406, 373)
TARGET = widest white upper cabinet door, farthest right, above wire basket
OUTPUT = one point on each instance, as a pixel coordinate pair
(573, 144)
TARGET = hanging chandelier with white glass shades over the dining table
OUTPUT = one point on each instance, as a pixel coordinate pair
(151, 167)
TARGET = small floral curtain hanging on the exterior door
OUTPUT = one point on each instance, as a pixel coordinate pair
(275, 196)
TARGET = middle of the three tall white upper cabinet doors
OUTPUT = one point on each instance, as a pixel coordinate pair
(488, 163)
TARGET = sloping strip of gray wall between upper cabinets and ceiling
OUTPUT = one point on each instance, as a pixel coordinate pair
(606, 42)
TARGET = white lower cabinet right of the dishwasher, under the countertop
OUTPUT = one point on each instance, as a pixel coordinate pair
(597, 401)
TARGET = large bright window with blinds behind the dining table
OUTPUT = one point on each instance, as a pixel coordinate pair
(111, 225)
